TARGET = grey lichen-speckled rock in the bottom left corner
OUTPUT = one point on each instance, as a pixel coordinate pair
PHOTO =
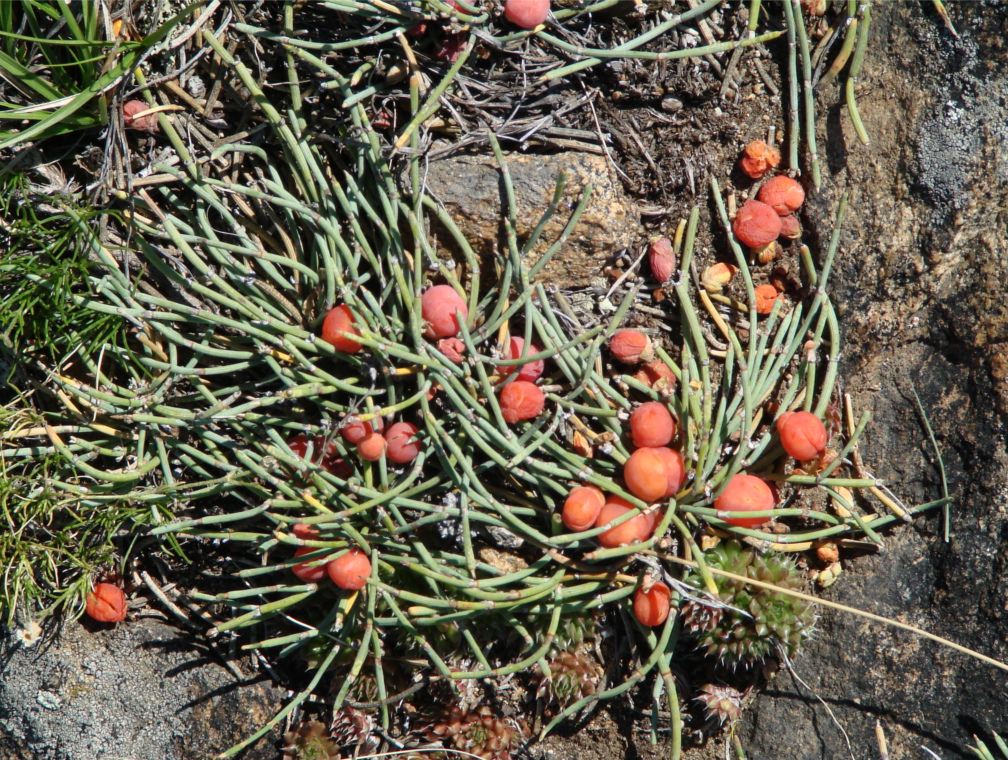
(142, 690)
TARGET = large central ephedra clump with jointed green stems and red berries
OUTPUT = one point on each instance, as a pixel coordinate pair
(268, 315)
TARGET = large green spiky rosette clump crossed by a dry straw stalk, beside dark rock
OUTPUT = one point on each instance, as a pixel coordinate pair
(752, 622)
